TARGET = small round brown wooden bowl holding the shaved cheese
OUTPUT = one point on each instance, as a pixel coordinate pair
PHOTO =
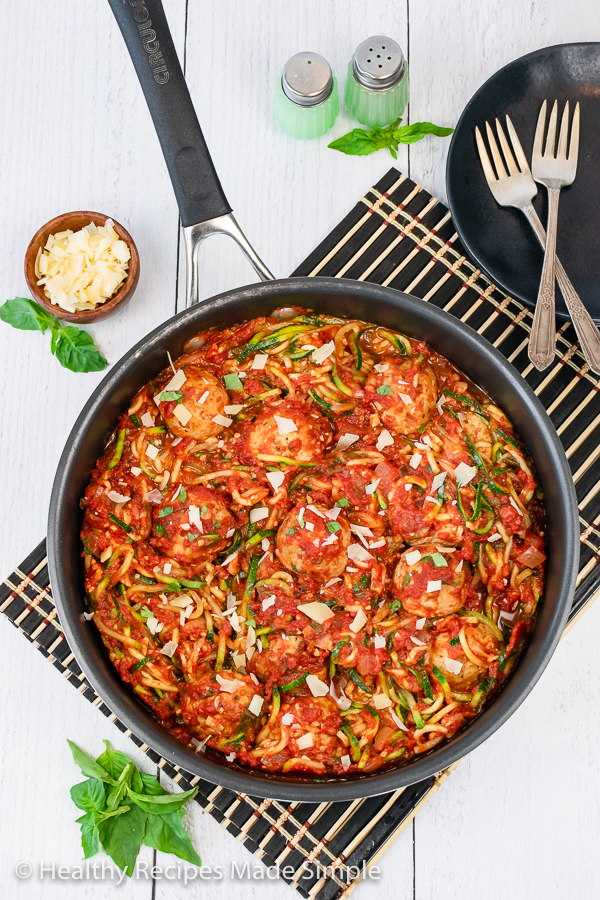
(76, 221)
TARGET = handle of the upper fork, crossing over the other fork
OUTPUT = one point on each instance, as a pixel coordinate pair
(542, 341)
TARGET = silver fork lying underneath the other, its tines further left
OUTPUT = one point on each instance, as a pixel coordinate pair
(516, 189)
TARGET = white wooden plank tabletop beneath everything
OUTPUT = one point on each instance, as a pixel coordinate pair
(520, 817)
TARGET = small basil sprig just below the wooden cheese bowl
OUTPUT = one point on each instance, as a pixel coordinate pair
(73, 348)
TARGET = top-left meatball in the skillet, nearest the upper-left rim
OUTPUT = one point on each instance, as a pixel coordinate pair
(204, 397)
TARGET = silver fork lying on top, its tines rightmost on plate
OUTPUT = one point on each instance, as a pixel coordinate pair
(554, 172)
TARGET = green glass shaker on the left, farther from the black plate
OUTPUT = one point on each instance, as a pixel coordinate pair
(306, 101)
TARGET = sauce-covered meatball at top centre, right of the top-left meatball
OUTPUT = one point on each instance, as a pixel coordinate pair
(306, 443)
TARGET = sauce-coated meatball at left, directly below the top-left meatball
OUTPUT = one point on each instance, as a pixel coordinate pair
(176, 532)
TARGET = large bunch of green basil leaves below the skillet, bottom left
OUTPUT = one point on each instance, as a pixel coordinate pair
(124, 808)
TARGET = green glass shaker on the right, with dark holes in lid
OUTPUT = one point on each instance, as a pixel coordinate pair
(377, 85)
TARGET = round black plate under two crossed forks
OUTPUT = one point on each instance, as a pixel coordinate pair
(499, 239)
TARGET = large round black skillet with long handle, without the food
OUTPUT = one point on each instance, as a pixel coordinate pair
(201, 200)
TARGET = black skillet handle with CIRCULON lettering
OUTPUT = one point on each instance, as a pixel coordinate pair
(146, 33)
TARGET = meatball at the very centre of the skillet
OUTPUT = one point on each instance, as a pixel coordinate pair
(307, 546)
